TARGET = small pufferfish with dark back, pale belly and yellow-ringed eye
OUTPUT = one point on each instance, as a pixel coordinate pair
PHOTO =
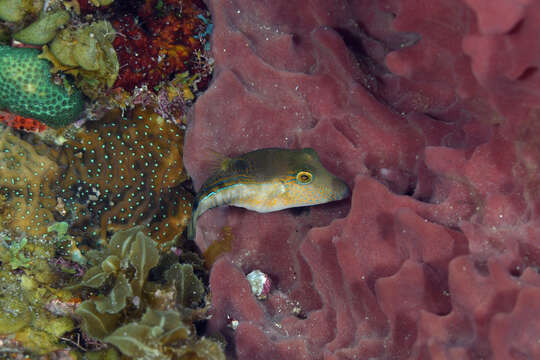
(267, 180)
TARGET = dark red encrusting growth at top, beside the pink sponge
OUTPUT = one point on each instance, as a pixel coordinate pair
(160, 42)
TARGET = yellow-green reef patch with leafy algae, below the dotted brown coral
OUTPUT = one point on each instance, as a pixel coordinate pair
(146, 303)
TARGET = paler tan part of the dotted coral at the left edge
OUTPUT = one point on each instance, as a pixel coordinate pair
(27, 198)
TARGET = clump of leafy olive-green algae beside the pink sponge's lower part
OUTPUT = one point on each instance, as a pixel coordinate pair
(140, 317)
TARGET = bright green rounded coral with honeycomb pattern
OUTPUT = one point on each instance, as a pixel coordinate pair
(26, 89)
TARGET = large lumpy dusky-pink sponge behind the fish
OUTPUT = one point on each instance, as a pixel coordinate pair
(430, 111)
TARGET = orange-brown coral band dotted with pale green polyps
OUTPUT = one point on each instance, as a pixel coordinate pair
(113, 174)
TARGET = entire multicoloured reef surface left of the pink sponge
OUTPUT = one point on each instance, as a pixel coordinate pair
(94, 197)
